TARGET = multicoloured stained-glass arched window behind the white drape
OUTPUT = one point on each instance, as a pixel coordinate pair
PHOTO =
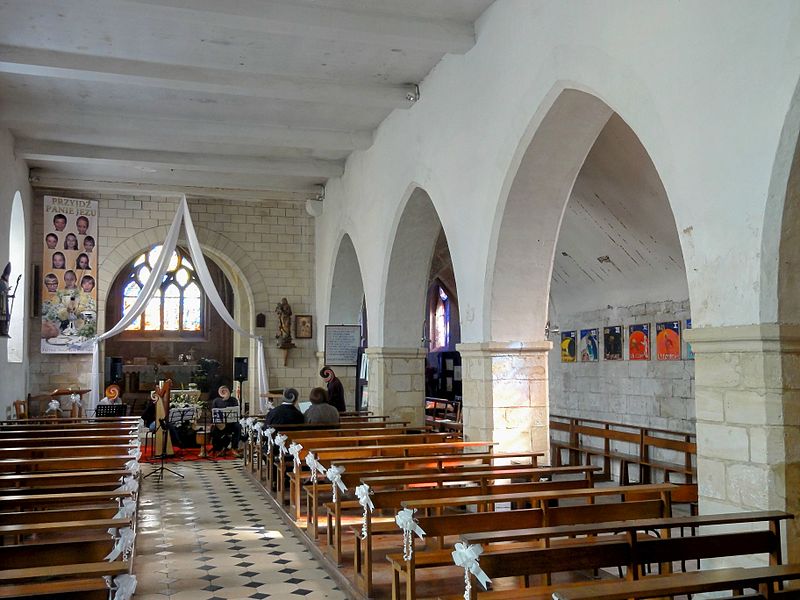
(177, 306)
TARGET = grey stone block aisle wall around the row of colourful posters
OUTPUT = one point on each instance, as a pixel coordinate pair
(653, 393)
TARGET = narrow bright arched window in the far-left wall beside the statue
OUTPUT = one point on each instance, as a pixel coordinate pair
(17, 243)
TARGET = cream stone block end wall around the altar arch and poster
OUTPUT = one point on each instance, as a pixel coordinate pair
(268, 246)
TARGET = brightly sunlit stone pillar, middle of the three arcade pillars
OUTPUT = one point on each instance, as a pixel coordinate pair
(505, 394)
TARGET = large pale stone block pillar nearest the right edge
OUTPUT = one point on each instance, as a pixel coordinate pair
(748, 420)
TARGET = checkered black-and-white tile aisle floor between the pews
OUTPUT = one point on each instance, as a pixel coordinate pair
(212, 535)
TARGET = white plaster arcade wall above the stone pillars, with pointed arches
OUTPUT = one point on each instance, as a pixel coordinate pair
(688, 78)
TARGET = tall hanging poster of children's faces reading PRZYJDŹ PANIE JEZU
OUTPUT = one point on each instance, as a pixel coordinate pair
(69, 275)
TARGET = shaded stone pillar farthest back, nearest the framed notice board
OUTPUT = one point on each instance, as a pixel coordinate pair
(396, 385)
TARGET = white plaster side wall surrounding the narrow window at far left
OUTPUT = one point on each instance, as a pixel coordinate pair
(13, 178)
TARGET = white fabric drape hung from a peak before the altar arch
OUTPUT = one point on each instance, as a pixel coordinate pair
(155, 280)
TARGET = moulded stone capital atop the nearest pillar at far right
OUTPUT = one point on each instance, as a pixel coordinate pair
(762, 337)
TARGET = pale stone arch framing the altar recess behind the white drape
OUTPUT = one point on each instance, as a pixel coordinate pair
(240, 269)
